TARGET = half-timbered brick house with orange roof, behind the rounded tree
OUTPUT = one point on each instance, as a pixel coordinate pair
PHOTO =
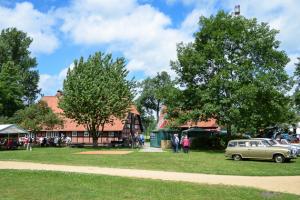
(117, 131)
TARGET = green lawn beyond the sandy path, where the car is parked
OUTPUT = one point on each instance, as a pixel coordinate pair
(210, 162)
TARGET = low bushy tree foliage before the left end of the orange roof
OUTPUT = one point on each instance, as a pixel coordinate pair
(37, 117)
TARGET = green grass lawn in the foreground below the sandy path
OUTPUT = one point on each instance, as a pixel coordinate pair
(58, 185)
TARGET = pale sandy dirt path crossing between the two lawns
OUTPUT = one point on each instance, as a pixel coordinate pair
(288, 184)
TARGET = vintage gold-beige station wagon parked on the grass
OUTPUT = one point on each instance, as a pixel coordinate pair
(257, 149)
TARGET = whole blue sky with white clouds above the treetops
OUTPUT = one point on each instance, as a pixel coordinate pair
(144, 32)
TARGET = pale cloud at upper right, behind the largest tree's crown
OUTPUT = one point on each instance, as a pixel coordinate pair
(281, 15)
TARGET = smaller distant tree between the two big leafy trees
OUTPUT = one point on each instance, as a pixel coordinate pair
(153, 93)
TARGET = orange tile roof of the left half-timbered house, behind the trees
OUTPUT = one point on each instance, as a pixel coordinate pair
(71, 125)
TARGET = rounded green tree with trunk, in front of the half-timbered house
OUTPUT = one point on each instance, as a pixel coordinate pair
(95, 91)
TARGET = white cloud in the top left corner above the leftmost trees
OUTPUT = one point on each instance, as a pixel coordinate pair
(38, 25)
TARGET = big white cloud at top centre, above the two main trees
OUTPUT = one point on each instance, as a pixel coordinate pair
(140, 32)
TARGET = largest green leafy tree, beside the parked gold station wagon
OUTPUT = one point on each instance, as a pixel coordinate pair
(234, 72)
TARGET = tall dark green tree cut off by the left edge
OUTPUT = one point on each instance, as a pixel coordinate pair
(15, 55)
